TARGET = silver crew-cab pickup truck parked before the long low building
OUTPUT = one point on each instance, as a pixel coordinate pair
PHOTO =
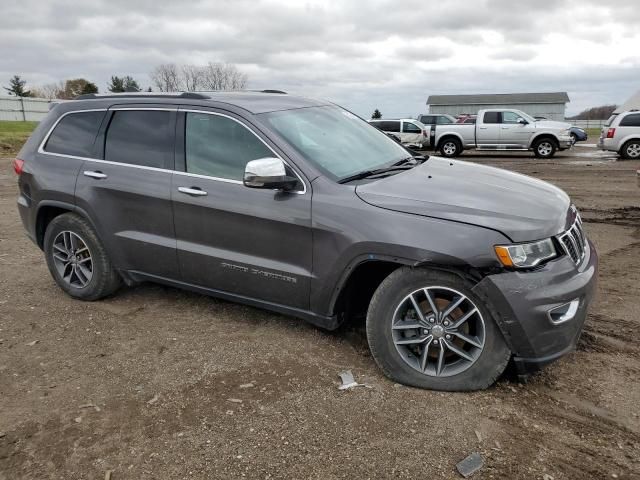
(502, 129)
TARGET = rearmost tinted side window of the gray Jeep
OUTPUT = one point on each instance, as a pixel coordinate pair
(75, 134)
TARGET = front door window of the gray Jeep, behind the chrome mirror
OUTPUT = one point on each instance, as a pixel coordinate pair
(220, 147)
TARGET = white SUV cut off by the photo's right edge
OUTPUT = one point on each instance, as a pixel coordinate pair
(621, 134)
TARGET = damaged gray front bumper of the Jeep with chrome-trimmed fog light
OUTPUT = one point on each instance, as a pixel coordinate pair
(541, 312)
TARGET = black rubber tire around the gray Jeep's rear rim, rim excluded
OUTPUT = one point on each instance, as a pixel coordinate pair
(104, 279)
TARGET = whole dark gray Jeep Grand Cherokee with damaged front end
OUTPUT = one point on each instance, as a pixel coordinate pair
(300, 207)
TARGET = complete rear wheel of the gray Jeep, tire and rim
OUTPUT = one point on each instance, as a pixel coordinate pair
(77, 260)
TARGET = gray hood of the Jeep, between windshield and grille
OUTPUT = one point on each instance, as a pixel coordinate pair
(521, 207)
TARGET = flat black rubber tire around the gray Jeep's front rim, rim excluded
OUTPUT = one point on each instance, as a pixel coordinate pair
(489, 363)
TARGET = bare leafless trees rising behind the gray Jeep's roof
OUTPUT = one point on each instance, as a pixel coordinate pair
(213, 76)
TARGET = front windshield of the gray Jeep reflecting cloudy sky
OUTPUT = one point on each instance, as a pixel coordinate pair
(334, 140)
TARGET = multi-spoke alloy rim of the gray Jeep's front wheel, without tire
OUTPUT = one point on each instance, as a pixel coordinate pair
(438, 331)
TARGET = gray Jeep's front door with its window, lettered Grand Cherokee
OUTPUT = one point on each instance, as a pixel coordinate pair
(250, 242)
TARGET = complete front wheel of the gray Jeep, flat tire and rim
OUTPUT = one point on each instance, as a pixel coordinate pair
(427, 329)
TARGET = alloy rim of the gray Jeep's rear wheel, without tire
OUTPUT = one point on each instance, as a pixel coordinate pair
(72, 259)
